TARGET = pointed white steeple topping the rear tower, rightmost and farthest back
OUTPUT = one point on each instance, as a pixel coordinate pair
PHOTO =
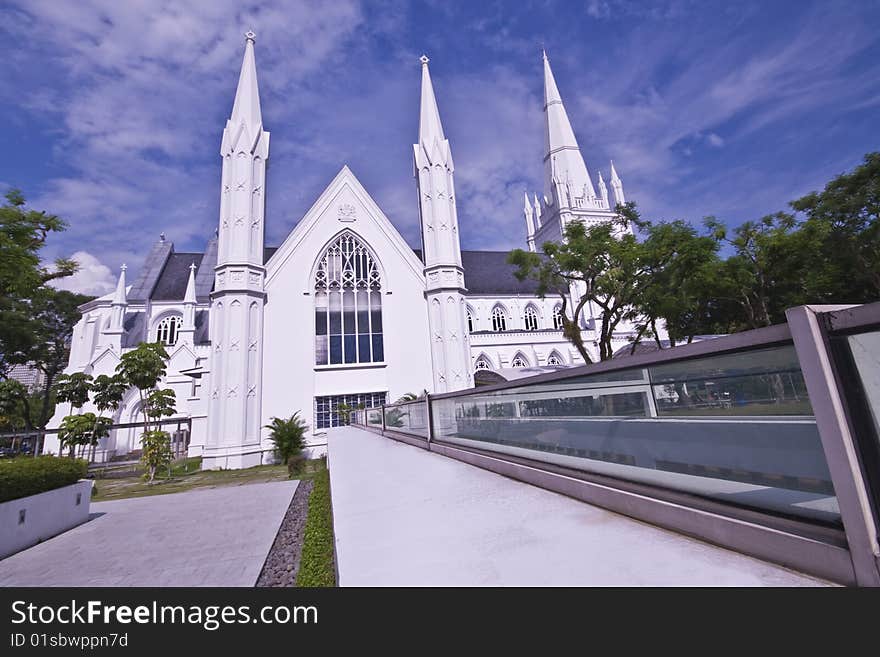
(564, 166)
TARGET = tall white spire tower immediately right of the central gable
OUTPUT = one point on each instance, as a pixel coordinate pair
(441, 250)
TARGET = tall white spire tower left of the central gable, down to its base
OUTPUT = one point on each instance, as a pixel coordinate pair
(236, 327)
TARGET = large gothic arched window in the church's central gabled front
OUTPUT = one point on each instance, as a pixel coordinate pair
(348, 304)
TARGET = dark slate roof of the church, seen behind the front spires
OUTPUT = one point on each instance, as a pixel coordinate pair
(485, 273)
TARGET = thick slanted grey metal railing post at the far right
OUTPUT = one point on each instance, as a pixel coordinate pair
(812, 345)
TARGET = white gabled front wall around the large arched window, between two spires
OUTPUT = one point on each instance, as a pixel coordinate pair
(291, 379)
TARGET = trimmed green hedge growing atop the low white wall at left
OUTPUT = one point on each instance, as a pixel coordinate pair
(24, 476)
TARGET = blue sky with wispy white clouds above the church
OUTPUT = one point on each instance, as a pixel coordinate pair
(114, 110)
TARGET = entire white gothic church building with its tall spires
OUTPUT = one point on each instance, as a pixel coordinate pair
(344, 310)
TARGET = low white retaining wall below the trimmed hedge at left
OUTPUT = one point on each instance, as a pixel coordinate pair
(27, 521)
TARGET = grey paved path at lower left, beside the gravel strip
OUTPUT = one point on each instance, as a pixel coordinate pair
(204, 537)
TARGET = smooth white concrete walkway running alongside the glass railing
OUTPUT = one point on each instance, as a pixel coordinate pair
(405, 516)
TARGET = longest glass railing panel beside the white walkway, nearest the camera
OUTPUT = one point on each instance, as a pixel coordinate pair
(746, 437)
